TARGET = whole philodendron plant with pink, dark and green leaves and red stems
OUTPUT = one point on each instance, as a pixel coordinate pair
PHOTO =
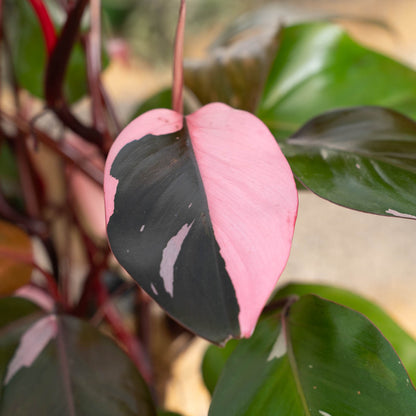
(200, 210)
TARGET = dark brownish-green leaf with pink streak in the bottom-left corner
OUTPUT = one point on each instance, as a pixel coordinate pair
(86, 371)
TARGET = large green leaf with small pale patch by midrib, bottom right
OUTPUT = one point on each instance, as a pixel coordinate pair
(316, 358)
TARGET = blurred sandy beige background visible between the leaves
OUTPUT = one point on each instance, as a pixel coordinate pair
(370, 255)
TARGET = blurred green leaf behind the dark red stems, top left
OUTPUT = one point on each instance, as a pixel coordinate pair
(29, 52)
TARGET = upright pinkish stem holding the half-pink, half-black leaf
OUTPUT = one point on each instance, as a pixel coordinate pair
(177, 89)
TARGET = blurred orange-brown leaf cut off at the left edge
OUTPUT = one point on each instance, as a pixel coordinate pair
(15, 258)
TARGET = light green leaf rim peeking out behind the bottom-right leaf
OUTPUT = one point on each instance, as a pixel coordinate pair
(402, 342)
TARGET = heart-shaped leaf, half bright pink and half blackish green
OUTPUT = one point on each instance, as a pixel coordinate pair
(201, 212)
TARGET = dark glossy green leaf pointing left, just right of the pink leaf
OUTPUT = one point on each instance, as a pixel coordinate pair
(362, 158)
